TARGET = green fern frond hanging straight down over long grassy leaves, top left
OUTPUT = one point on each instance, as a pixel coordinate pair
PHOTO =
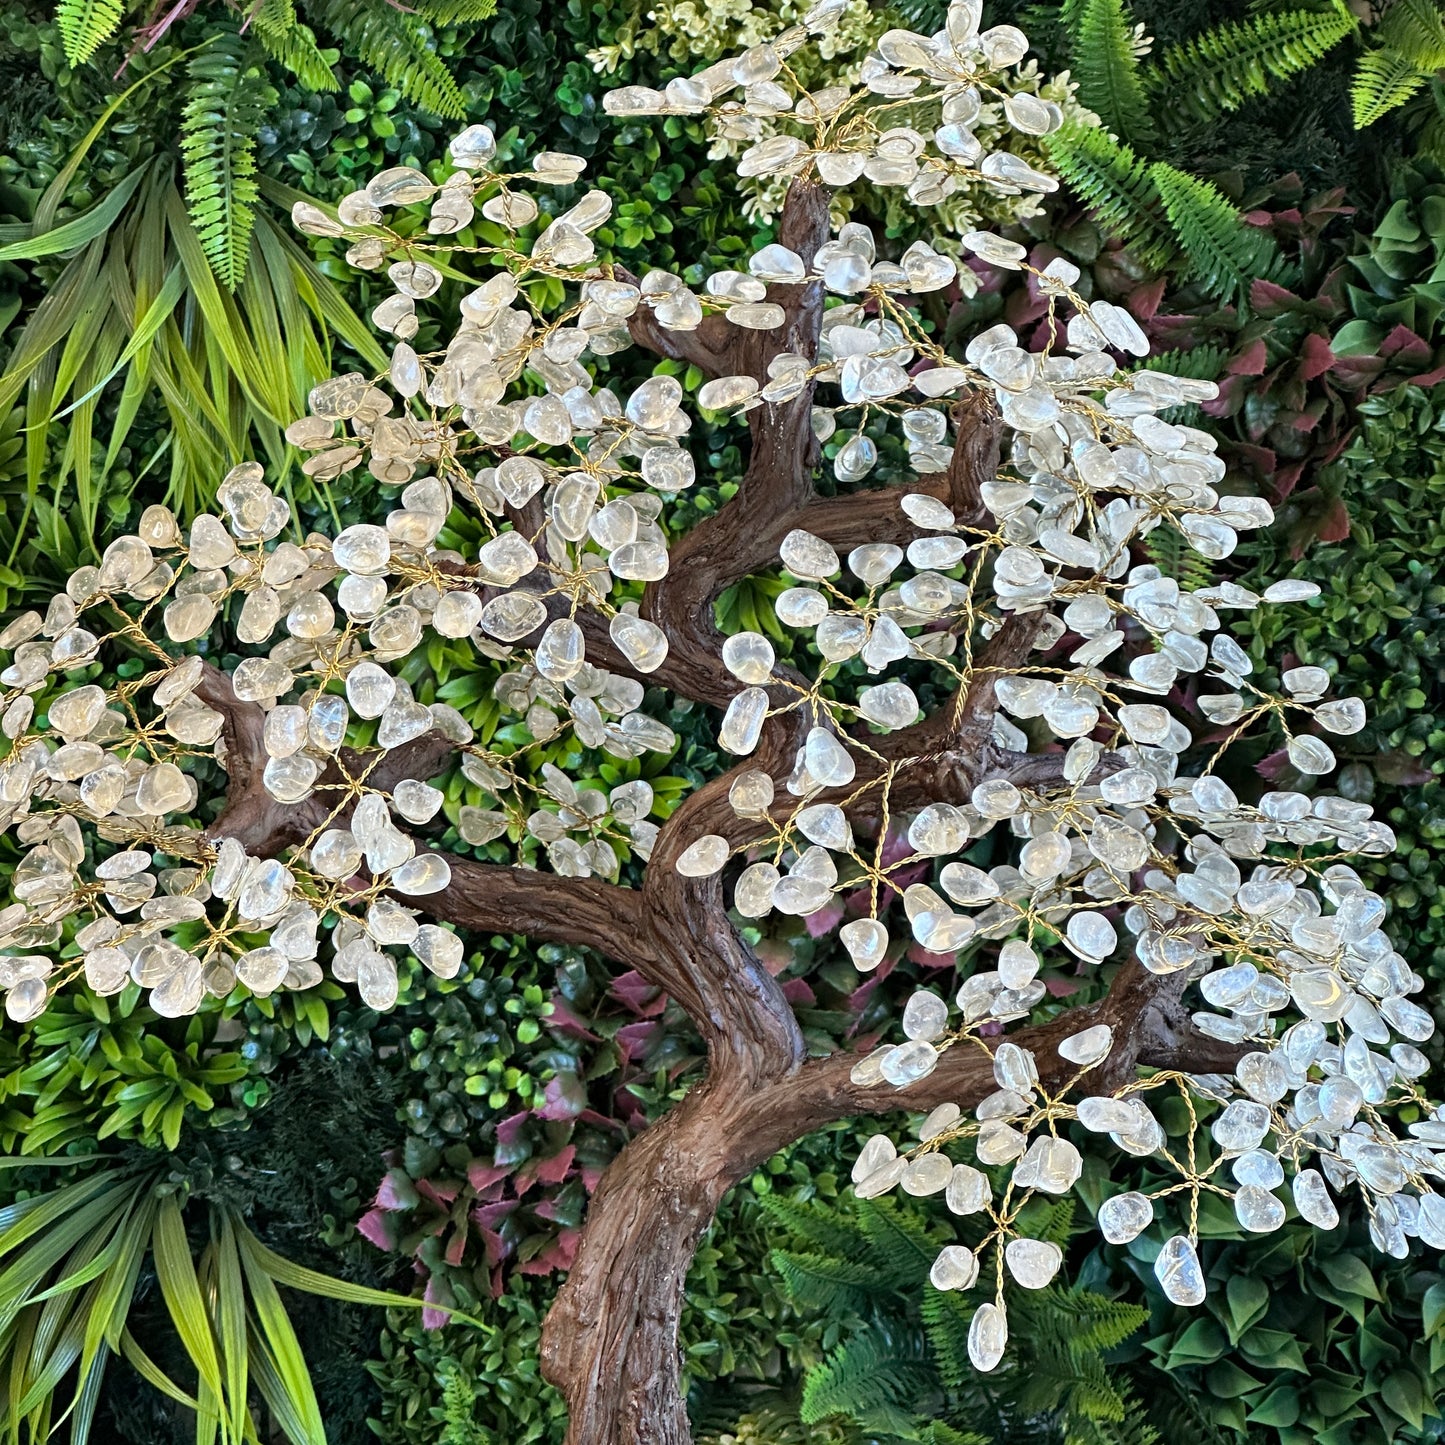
(223, 113)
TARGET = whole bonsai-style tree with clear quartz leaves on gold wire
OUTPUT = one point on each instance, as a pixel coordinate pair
(1246, 963)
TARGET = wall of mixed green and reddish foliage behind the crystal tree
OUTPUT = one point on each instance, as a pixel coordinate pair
(452, 1145)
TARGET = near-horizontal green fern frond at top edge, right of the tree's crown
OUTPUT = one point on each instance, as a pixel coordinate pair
(1220, 70)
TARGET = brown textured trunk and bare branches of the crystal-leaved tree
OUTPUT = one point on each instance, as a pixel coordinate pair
(611, 1342)
